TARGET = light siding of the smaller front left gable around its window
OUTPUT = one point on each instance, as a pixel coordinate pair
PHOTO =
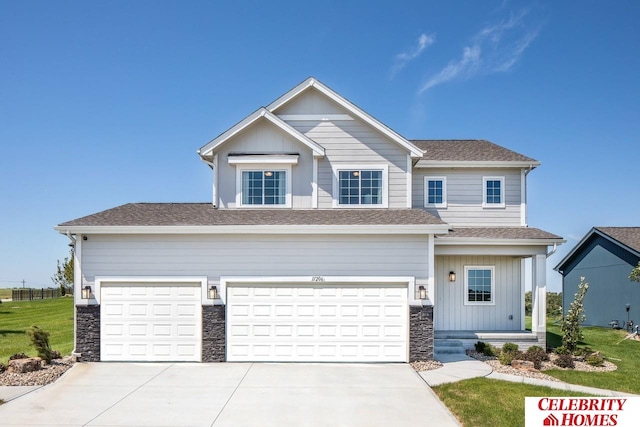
(263, 137)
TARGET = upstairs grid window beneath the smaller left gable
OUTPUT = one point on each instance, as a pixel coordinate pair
(264, 187)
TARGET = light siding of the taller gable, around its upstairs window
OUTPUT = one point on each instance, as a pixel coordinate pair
(347, 142)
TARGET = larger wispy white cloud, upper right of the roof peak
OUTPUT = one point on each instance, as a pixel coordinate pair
(494, 49)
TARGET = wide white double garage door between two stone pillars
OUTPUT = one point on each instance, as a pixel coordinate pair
(319, 323)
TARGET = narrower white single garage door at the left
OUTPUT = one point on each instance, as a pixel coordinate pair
(150, 322)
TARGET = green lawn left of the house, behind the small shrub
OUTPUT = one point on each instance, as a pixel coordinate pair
(53, 315)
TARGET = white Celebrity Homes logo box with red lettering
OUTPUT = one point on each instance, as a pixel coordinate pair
(582, 411)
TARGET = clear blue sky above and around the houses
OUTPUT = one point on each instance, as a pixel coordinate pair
(105, 103)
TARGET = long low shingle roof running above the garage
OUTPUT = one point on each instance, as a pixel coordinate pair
(204, 214)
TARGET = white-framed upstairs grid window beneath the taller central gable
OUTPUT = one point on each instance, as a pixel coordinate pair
(360, 186)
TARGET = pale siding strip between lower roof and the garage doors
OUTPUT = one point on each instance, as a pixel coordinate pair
(253, 255)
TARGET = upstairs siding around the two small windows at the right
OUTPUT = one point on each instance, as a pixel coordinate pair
(465, 196)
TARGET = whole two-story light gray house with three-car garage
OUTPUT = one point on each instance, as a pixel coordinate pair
(329, 237)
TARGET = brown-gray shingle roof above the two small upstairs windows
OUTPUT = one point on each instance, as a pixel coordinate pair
(468, 150)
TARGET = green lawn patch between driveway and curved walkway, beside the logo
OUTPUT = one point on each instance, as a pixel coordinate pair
(470, 401)
